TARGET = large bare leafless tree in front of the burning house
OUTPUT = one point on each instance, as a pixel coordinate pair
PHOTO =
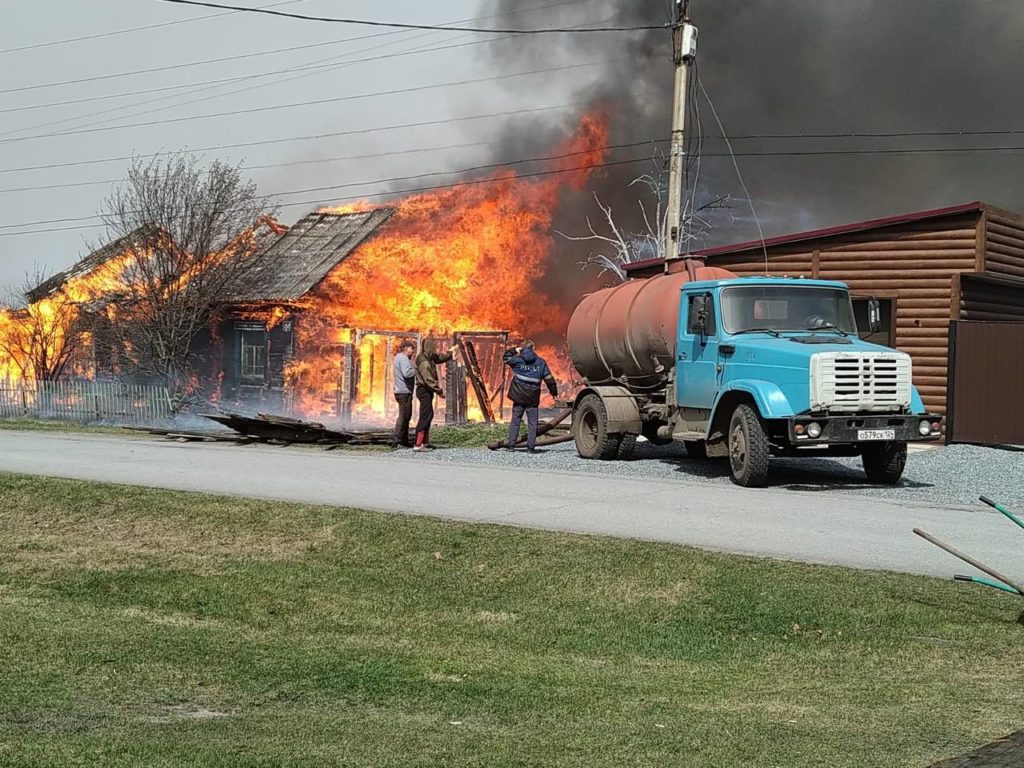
(190, 231)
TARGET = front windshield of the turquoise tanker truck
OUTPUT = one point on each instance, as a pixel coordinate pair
(787, 309)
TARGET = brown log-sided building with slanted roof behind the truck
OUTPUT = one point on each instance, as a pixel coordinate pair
(929, 270)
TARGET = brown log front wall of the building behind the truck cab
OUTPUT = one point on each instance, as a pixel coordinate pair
(913, 264)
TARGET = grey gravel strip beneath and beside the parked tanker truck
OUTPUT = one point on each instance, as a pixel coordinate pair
(951, 477)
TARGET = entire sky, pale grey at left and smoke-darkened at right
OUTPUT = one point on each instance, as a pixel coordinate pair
(792, 67)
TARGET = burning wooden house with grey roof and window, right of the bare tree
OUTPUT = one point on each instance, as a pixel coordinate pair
(289, 343)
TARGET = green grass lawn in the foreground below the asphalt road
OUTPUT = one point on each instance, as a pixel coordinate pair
(147, 628)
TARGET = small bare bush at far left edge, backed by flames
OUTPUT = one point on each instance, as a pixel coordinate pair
(40, 340)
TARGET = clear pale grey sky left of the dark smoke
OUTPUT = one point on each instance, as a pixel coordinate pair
(46, 21)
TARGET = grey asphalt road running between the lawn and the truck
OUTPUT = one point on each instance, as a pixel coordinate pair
(823, 528)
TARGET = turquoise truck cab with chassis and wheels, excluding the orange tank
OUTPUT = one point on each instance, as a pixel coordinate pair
(771, 367)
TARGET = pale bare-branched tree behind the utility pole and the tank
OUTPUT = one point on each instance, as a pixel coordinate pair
(621, 248)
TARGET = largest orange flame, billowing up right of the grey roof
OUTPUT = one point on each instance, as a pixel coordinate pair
(463, 259)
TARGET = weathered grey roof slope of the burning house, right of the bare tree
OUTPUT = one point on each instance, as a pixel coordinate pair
(301, 260)
